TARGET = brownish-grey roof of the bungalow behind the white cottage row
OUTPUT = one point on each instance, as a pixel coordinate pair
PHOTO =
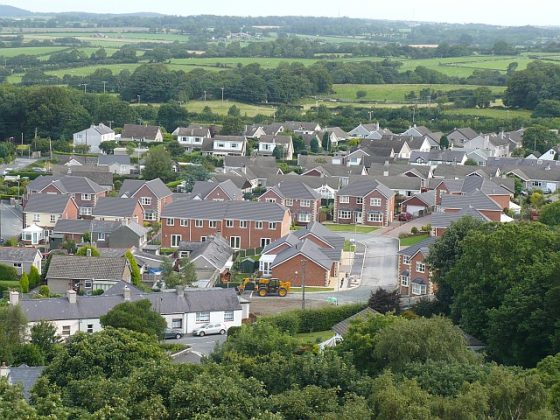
(74, 267)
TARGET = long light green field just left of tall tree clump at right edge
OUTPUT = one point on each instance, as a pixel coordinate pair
(395, 93)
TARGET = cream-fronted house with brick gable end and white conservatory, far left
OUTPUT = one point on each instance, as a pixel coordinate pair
(41, 212)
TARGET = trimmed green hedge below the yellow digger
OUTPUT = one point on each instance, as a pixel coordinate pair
(312, 320)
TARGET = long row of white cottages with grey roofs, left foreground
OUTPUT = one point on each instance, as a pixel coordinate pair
(183, 310)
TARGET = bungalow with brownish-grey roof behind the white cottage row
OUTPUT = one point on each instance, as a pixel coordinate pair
(86, 274)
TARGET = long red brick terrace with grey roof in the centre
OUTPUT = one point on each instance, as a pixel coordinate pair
(244, 224)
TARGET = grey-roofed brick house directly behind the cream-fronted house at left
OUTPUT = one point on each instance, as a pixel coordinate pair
(84, 191)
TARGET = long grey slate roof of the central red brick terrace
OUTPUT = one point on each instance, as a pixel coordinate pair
(217, 210)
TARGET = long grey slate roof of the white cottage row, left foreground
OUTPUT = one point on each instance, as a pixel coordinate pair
(92, 307)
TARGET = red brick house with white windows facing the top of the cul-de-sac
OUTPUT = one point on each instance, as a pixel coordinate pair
(364, 202)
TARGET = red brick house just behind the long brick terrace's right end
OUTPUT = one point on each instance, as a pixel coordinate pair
(304, 202)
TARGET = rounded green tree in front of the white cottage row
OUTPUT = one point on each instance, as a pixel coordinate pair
(135, 316)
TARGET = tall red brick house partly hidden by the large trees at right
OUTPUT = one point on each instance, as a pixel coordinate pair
(414, 273)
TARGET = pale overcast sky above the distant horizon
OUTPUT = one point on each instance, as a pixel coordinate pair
(536, 12)
